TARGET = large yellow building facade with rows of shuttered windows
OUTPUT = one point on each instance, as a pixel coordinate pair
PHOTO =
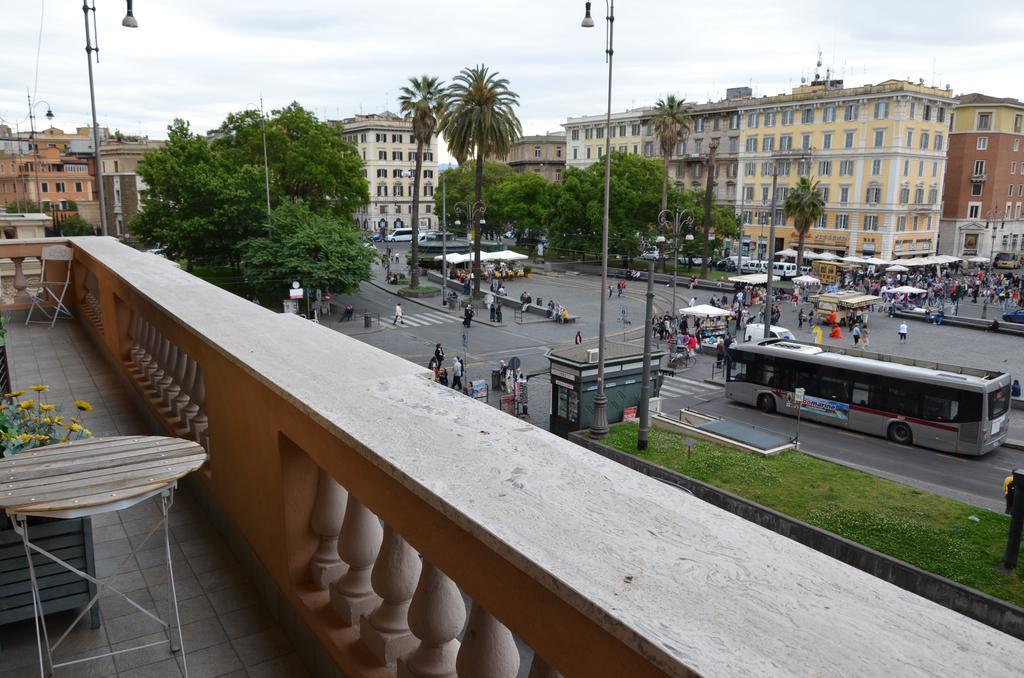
(879, 153)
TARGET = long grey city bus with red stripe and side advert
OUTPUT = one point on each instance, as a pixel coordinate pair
(941, 407)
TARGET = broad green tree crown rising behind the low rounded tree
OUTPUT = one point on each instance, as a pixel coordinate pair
(309, 160)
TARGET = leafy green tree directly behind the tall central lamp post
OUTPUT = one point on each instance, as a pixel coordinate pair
(577, 206)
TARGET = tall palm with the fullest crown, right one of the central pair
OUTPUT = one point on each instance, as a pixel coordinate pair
(480, 121)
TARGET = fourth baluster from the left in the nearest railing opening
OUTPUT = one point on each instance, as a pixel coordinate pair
(437, 615)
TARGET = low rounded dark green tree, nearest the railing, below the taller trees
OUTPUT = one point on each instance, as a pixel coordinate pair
(321, 251)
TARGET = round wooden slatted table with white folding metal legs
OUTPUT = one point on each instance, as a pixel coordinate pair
(90, 478)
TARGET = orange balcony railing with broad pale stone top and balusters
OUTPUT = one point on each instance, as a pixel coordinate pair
(373, 498)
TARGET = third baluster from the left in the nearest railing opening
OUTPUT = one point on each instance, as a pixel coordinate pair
(386, 631)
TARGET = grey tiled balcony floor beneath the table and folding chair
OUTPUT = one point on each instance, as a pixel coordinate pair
(228, 630)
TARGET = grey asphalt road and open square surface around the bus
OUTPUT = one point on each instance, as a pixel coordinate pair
(975, 481)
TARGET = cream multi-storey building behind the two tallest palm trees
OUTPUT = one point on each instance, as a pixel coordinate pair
(389, 150)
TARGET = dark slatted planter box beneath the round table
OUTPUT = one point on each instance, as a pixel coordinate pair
(60, 590)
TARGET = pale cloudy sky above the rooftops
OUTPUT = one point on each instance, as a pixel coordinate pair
(201, 60)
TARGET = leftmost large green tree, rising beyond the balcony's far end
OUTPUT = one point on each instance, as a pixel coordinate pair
(199, 206)
